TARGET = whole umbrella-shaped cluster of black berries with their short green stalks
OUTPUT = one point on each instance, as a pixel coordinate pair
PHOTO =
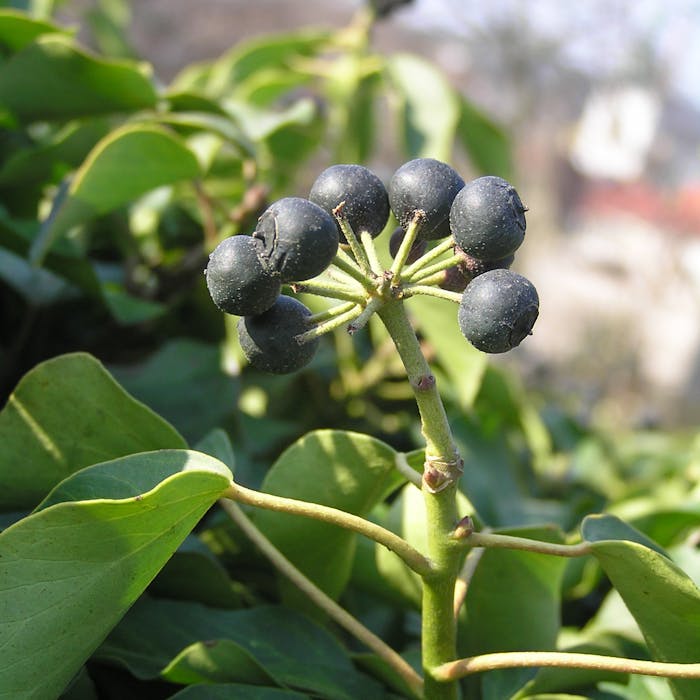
(297, 240)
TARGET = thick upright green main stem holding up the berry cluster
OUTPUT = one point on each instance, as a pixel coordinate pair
(441, 472)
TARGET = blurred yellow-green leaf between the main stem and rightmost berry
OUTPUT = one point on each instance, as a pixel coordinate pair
(463, 366)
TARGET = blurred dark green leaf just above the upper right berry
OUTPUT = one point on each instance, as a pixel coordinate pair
(487, 143)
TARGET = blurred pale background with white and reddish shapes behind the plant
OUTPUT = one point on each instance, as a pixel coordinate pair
(601, 101)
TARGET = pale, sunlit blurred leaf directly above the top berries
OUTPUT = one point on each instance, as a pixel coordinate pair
(430, 108)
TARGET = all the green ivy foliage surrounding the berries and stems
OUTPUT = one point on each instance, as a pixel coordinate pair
(119, 575)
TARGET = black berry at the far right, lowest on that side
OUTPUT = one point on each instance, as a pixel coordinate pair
(498, 309)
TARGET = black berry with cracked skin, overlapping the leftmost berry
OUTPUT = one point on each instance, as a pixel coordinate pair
(299, 239)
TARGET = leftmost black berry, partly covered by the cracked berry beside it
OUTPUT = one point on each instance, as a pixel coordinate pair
(237, 280)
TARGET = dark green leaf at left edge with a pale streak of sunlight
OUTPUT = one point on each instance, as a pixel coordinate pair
(66, 414)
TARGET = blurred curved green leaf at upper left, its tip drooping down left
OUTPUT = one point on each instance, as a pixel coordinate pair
(123, 166)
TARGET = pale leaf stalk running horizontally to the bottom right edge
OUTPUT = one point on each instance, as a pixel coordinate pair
(527, 659)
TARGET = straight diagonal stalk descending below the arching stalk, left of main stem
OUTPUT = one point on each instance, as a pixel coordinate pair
(328, 605)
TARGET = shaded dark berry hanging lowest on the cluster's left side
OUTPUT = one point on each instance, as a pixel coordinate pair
(269, 339)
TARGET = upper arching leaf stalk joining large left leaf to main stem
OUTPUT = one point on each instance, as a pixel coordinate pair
(410, 556)
